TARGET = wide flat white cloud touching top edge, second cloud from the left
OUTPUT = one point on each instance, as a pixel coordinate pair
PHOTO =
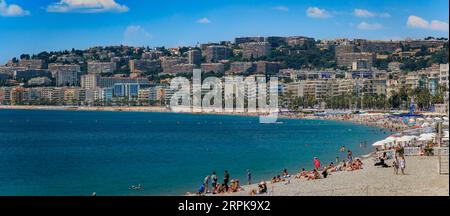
(86, 6)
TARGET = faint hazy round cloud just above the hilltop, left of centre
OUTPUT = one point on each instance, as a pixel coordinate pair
(135, 35)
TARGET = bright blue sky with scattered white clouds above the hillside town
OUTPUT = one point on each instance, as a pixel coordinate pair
(28, 26)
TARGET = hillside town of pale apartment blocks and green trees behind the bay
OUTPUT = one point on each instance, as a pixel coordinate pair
(333, 74)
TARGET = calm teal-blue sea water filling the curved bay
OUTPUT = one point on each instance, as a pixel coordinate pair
(79, 152)
